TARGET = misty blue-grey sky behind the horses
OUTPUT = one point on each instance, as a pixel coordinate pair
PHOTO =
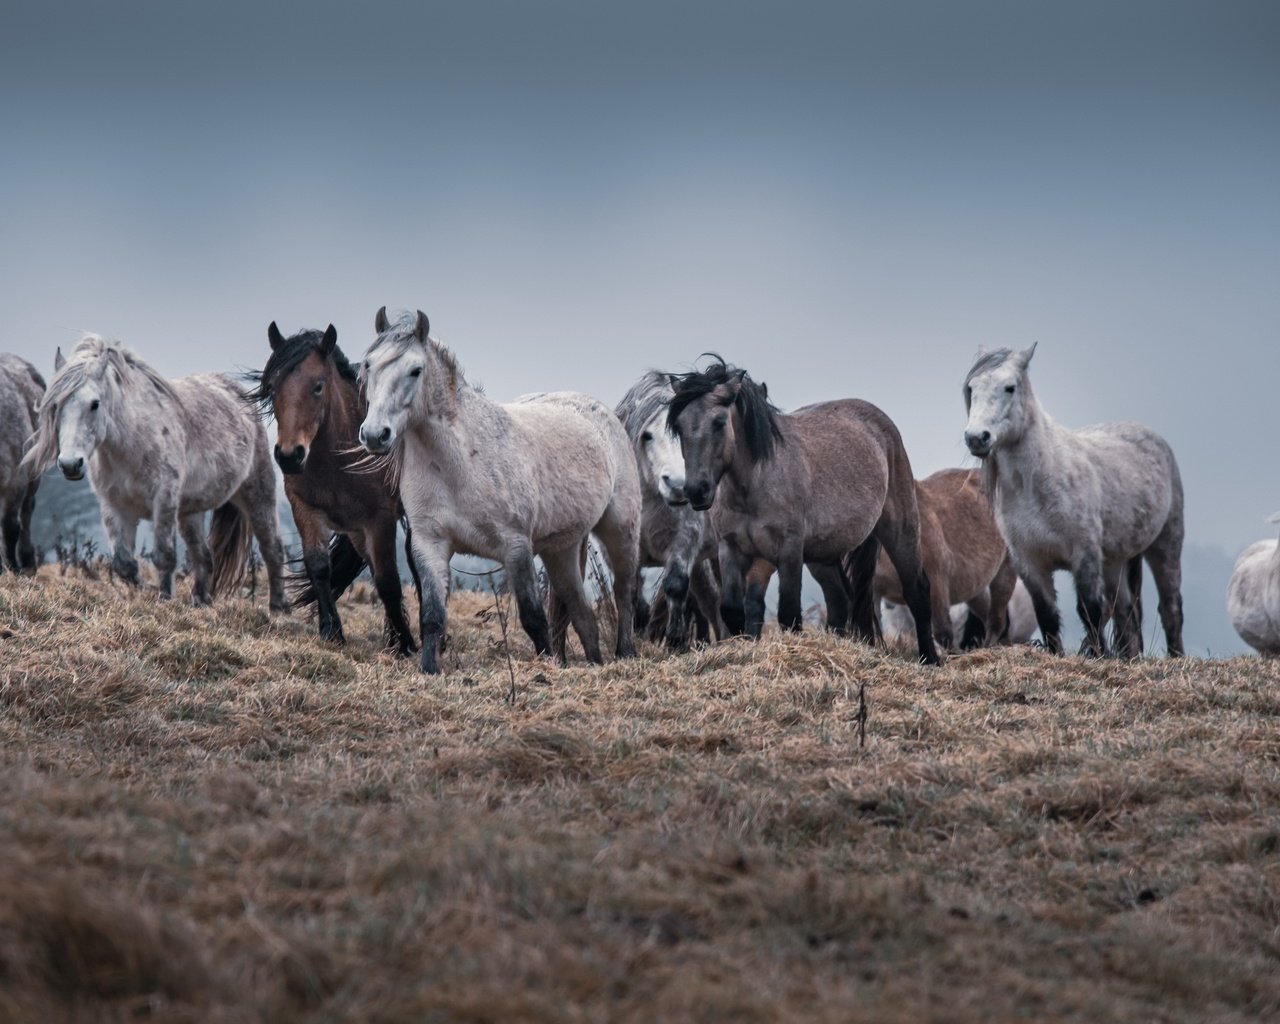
(845, 199)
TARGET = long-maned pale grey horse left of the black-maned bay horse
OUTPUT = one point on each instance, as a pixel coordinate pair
(167, 452)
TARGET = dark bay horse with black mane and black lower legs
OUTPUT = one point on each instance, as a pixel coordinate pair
(318, 404)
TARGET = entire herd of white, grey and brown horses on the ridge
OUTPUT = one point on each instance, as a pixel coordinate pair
(697, 474)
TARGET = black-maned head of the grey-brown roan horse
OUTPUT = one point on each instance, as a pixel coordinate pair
(715, 413)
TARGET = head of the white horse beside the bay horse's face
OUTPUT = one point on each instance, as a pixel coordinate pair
(395, 374)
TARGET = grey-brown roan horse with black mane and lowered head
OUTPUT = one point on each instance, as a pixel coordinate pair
(799, 490)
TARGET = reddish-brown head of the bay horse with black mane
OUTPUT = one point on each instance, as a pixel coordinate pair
(298, 387)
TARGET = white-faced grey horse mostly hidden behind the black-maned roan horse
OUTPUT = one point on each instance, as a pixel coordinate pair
(673, 534)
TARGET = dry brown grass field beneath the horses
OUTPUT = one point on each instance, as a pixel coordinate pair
(212, 816)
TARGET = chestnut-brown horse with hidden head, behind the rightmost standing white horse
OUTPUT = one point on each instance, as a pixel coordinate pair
(964, 556)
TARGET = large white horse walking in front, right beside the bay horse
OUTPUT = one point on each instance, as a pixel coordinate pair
(504, 482)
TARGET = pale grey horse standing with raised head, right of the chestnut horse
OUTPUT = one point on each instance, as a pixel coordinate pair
(1094, 502)
